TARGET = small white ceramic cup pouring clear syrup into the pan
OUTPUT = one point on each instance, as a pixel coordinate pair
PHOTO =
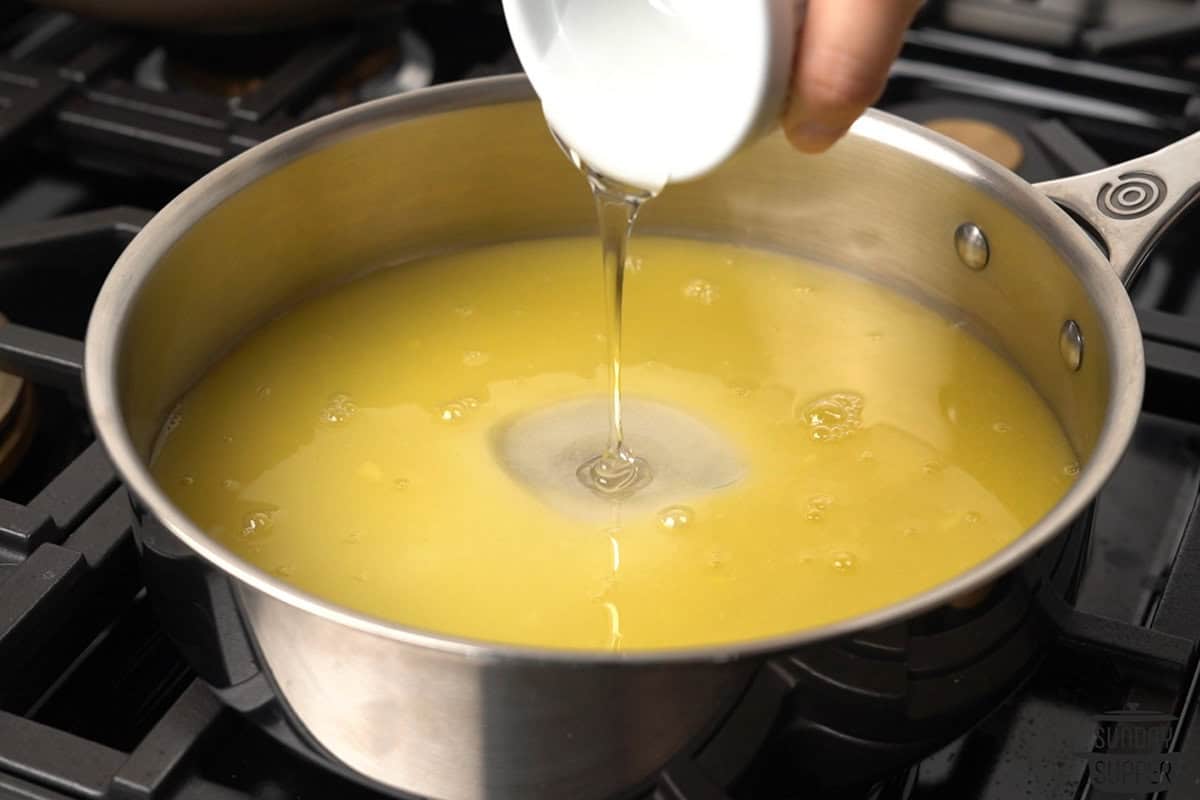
(653, 92)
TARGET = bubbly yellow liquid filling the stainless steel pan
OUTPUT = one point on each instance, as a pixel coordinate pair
(841, 448)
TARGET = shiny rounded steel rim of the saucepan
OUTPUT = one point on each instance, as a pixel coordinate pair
(109, 323)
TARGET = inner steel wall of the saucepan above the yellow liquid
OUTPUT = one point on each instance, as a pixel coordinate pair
(445, 182)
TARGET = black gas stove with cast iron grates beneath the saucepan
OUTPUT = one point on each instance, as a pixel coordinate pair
(1072, 679)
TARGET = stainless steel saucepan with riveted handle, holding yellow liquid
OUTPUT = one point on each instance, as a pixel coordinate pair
(473, 164)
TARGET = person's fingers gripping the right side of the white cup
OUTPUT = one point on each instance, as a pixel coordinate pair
(842, 67)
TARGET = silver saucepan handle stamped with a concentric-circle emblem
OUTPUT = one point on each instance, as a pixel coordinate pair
(1130, 206)
